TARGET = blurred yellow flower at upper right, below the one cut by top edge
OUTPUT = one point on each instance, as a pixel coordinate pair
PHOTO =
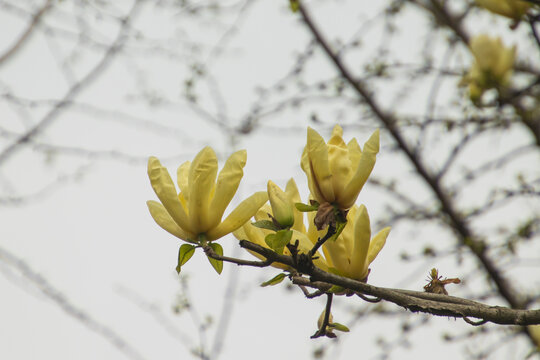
(492, 67)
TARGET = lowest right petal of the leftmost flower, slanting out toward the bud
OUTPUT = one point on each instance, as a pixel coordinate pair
(238, 217)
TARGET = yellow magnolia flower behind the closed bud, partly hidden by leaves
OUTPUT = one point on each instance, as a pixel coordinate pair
(258, 235)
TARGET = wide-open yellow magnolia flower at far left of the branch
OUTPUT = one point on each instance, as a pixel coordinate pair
(195, 213)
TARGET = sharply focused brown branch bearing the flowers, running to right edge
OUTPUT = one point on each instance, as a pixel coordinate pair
(415, 301)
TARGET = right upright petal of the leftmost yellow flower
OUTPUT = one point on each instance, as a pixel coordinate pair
(227, 185)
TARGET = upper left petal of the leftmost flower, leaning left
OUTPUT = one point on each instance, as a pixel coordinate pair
(166, 192)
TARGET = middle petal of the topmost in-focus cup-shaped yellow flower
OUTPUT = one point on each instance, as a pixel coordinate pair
(339, 161)
